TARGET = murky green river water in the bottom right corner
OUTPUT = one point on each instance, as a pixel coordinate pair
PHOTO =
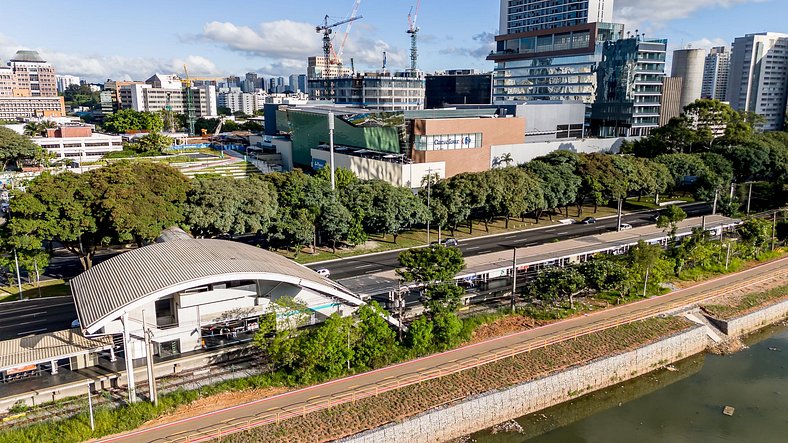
(676, 406)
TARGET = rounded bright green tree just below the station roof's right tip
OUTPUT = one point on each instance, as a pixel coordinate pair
(376, 340)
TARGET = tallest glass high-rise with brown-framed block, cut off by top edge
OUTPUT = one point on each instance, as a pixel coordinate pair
(549, 50)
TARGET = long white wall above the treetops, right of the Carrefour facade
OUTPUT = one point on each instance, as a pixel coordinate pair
(525, 152)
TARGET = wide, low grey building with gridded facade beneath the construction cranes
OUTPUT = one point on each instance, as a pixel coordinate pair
(386, 91)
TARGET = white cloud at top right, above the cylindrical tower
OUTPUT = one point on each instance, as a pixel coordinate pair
(652, 15)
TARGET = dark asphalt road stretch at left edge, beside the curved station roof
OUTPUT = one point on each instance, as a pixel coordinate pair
(37, 316)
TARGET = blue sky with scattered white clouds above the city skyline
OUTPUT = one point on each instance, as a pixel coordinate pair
(98, 40)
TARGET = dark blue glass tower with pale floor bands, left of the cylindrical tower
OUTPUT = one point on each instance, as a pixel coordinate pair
(629, 88)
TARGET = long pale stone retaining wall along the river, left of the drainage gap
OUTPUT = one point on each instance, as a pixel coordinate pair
(495, 407)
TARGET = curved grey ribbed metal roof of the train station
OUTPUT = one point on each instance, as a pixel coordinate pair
(109, 286)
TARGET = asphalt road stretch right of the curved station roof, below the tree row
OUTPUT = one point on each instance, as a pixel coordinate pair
(374, 263)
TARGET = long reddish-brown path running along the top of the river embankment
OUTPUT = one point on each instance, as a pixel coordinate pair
(204, 427)
